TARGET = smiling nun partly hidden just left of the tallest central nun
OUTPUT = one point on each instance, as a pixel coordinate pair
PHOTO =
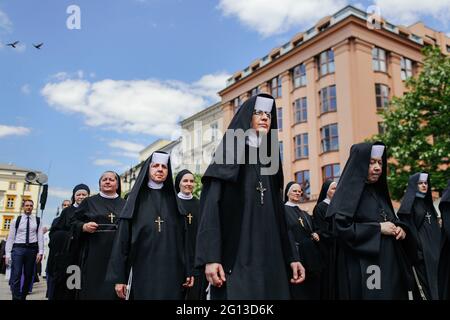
(189, 208)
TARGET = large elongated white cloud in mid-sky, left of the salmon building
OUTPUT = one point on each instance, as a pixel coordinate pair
(151, 106)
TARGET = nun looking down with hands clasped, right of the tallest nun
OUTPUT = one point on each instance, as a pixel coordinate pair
(373, 244)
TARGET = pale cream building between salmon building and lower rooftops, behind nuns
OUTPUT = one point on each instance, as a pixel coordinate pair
(201, 134)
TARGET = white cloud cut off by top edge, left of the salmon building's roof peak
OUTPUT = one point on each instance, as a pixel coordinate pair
(269, 18)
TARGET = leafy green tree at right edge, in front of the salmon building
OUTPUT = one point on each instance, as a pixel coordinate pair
(417, 126)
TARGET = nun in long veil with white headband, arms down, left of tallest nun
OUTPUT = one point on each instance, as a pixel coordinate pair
(149, 252)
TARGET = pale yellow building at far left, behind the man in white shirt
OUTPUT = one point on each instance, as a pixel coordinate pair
(13, 190)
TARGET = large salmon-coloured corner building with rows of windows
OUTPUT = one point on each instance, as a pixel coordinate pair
(329, 82)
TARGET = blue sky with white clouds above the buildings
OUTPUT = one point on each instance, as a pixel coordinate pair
(91, 98)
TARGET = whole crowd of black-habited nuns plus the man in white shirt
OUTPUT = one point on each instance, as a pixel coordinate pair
(247, 237)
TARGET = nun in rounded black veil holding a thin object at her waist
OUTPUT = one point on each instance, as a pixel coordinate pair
(95, 223)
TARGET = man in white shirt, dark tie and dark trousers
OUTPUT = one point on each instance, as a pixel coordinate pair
(25, 247)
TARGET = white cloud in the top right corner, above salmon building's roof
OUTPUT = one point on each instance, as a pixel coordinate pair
(410, 11)
